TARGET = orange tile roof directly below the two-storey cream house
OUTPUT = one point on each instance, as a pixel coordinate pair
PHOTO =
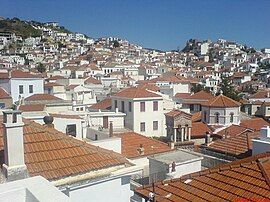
(131, 142)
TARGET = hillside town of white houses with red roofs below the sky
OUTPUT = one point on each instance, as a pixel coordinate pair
(105, 119)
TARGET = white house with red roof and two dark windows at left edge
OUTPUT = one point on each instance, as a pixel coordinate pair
(20, 84)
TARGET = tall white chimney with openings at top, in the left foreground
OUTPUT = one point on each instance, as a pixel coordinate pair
(14, 167)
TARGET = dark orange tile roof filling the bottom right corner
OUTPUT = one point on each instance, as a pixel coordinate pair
(242, 180)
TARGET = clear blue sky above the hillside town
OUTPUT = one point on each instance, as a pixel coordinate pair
(161, 24)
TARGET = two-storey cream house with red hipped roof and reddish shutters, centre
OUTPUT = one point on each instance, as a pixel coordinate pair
(143, 108)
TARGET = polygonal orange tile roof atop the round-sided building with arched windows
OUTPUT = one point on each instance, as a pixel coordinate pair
(221, 101)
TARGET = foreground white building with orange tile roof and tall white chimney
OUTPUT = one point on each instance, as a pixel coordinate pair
(82, 171)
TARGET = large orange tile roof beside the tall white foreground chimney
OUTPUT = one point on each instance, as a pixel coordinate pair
(55, 155)
